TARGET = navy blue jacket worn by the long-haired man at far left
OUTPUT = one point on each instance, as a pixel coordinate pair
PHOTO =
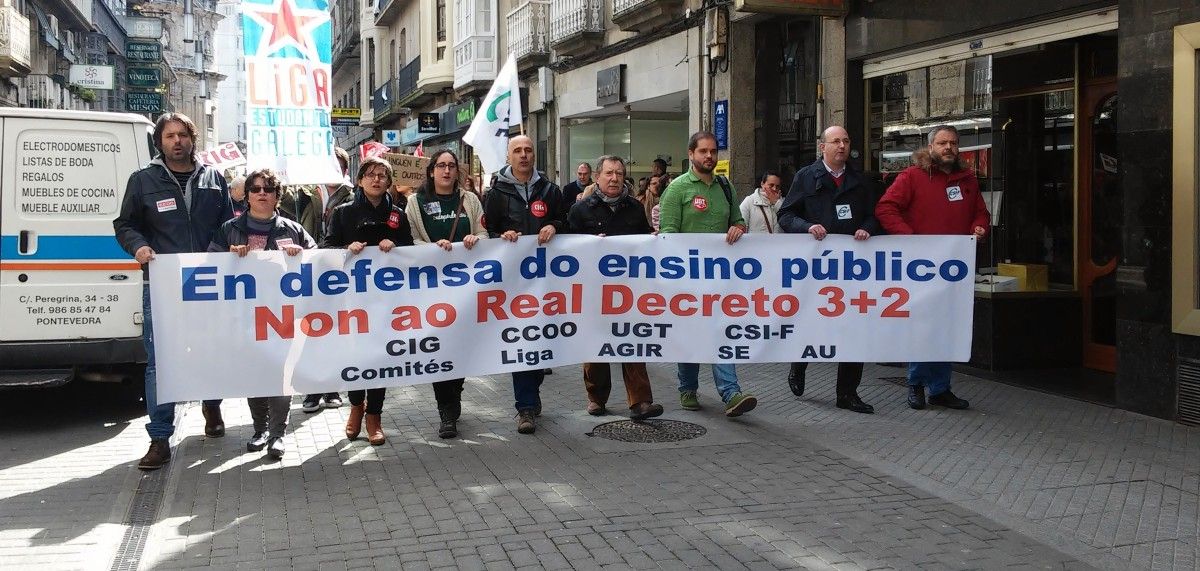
(153, 211)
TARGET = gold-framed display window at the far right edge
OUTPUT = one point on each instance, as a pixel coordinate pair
(1185, 267)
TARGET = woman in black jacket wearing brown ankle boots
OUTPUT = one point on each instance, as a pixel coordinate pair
(370, 220)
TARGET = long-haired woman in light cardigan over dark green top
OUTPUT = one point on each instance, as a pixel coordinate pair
(443, 213)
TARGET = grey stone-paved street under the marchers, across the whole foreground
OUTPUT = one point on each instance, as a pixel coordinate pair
(1023, 480)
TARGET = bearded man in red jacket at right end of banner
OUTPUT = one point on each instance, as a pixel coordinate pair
(939, 197)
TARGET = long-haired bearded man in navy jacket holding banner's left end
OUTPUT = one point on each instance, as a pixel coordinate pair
(172, 207)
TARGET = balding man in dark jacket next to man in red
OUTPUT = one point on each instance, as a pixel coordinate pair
(830, 197)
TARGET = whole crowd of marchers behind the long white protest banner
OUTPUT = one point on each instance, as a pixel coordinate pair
(178, 206)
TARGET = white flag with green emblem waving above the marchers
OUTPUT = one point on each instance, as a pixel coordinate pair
(489, 133)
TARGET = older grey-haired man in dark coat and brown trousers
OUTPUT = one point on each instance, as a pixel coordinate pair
(613, 212)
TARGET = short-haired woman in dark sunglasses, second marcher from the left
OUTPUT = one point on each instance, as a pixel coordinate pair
(262, 229)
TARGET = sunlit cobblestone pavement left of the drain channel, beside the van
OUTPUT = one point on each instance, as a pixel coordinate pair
(67, 478)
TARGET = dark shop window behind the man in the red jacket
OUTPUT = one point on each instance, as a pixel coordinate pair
(1016, 116)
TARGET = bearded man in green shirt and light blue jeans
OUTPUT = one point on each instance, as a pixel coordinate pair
(698, 202)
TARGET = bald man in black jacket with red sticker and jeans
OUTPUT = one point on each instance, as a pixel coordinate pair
(525, 202)
